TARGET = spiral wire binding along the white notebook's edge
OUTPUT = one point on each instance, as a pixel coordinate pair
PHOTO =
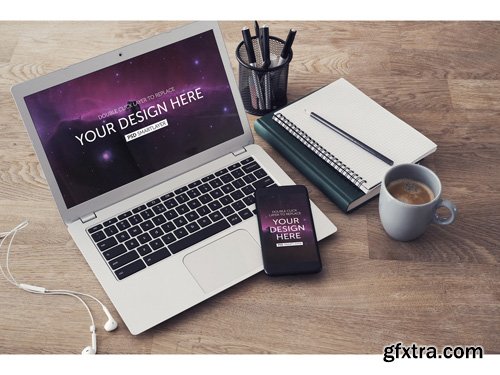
(319, 150)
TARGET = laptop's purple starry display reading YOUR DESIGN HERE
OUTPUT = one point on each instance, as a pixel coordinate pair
(115, 125)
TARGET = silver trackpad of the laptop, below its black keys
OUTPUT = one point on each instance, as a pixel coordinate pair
(221, 262)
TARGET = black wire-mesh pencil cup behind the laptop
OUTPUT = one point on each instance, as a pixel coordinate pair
(263, 89)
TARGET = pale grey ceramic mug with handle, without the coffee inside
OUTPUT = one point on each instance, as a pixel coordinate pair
(403, 221)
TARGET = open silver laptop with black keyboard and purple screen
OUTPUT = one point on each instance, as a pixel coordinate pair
(151, 161)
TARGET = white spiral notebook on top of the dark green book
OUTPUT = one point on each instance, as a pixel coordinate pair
(351, 110)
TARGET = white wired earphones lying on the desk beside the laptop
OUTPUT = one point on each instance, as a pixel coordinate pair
(110, 324)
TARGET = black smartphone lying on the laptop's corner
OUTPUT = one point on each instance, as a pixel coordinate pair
(286, 227)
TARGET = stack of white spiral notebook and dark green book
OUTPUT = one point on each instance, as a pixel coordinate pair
(347, 174)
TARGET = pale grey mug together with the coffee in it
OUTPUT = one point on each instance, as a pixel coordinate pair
(410, 196)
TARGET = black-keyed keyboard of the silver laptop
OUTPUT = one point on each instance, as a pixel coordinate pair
(177, 220)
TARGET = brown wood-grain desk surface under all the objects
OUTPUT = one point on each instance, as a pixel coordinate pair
(443, 289)
